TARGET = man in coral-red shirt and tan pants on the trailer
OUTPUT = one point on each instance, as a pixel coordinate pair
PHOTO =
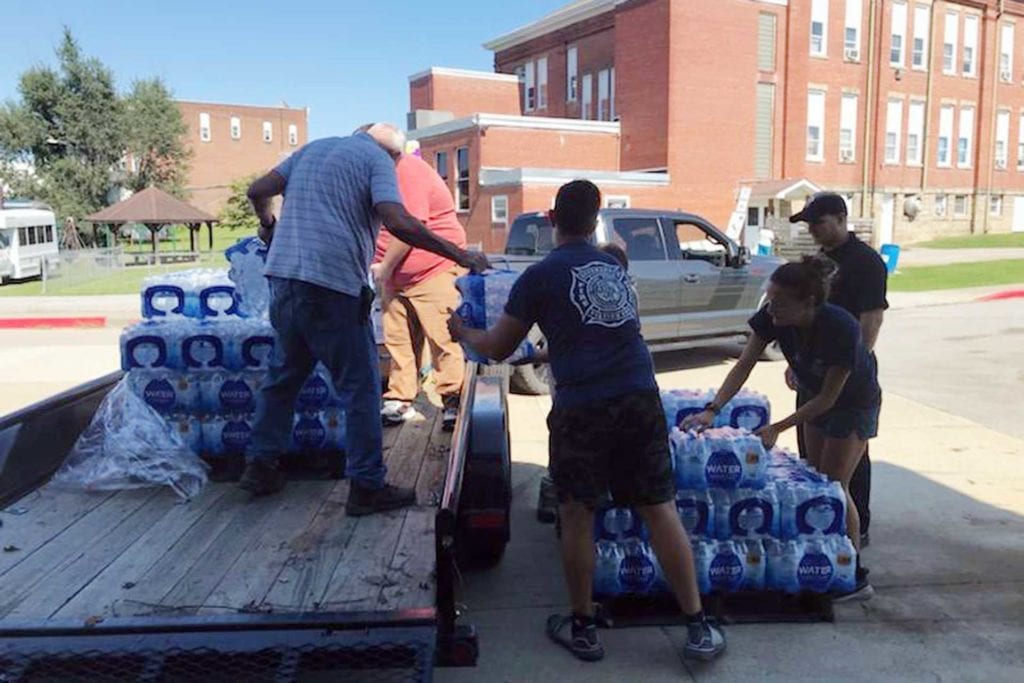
(418, 289)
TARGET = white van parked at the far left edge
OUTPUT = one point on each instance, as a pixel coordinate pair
(27, 238)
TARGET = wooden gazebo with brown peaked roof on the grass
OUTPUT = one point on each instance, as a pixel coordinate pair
(155, 209)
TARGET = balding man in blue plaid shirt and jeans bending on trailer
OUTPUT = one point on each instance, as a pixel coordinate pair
(337, 192)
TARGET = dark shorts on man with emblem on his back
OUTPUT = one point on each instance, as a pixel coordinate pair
(619, 446)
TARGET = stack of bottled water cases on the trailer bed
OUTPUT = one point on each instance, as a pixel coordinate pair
(201, 354)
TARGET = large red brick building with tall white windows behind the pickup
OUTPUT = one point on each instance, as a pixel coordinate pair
(909, 108)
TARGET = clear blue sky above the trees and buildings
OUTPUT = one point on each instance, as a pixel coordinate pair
(348, 61)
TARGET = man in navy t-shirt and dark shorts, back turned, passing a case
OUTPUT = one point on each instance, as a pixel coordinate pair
(608, 430)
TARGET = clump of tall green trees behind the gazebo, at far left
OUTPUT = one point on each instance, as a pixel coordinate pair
(66, 140)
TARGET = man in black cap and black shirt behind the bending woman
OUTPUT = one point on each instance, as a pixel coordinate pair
(860, 287)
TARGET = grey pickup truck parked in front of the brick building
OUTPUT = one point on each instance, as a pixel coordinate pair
(696, 287)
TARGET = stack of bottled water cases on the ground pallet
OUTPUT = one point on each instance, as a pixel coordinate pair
(758, 521)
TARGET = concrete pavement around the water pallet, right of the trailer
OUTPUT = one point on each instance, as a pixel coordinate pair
(947, 560)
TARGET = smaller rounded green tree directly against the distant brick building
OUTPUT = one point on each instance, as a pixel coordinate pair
(156, 139)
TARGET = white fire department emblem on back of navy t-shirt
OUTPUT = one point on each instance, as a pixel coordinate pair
(603, 294)
